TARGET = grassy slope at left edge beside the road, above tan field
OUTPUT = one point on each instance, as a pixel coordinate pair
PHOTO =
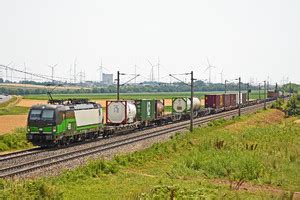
(10, 108)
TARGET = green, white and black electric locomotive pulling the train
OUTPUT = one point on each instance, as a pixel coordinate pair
(63, 121)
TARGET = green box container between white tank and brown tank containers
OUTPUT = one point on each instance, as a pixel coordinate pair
(145, 109)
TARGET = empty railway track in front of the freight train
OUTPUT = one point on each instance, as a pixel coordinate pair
(32, 165)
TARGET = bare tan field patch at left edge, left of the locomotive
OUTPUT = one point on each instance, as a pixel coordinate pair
(10, 122)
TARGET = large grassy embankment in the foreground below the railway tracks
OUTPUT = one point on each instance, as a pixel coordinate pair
(259, 154)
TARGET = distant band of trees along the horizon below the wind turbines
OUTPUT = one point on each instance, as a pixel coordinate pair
(95, 88)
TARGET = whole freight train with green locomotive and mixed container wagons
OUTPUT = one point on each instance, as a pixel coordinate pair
(61, 122)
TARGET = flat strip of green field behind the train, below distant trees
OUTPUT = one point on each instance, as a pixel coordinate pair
(253, 95)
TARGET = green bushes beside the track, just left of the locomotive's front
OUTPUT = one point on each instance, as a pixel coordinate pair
(15, 140)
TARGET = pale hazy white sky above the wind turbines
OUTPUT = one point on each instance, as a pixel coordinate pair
(255, 39)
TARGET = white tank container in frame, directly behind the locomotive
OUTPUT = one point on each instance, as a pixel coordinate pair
(120, 112)
